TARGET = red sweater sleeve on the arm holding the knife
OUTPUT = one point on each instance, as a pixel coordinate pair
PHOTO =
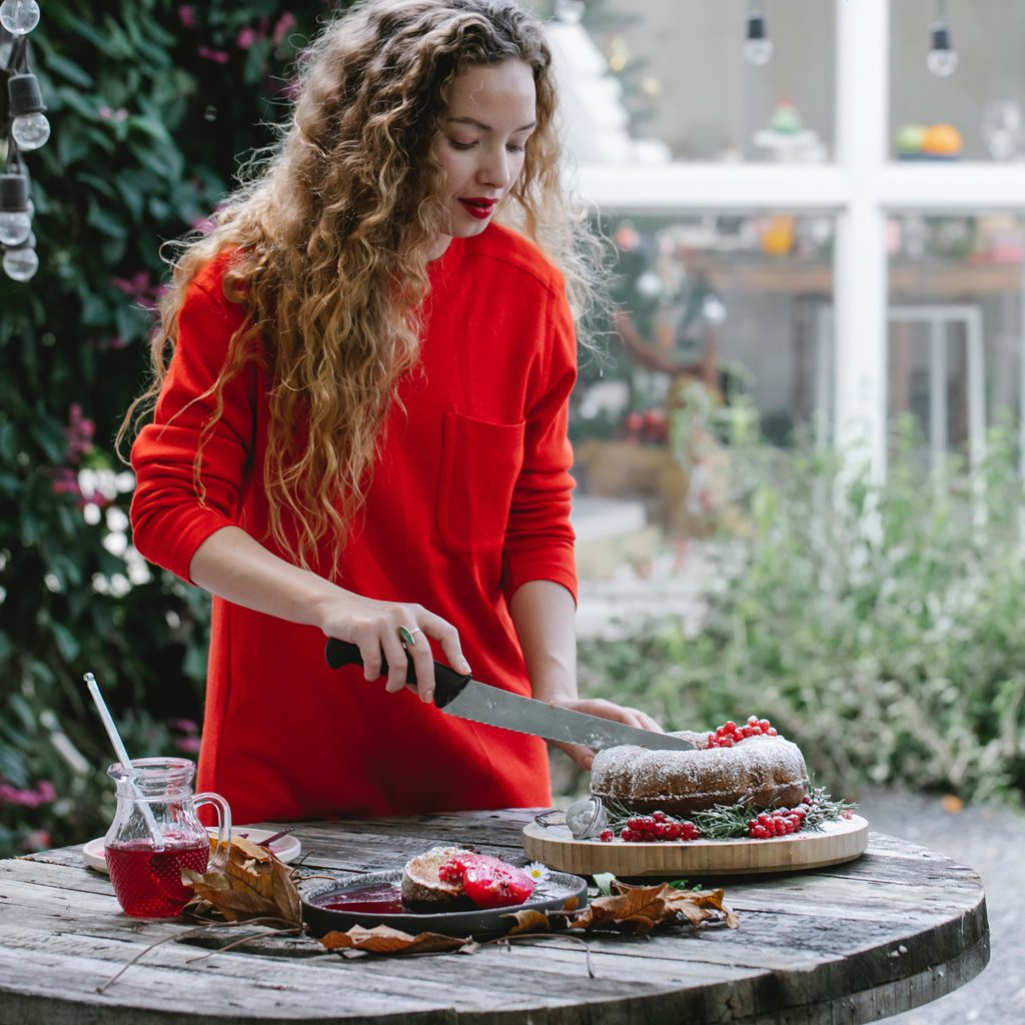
(171, 517)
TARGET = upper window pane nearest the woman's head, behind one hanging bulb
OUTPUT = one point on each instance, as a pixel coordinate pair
(668, 80)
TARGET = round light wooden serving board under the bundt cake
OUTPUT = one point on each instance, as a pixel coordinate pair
(844, 840)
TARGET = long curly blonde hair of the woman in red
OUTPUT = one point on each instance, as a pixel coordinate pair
(332, 243)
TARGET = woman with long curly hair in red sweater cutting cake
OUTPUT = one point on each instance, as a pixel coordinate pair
(362, 431)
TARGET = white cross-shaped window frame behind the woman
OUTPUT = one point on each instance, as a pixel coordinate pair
(860, 189)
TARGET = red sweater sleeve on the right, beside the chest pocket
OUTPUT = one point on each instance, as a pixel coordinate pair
(540, 539)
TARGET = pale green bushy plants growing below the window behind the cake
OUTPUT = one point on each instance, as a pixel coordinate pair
(878, 627)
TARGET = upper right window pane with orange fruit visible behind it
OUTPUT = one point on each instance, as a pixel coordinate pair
(985, 99)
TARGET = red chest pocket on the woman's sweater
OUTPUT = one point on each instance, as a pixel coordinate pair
(480, 465)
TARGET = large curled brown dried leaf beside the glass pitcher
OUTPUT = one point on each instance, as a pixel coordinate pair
(254, 884)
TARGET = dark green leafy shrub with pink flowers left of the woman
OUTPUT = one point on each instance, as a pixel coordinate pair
(153, 105)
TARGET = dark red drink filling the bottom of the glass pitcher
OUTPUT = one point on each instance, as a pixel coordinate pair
(147, 882)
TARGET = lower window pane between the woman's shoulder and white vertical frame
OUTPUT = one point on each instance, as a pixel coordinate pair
(721, 332)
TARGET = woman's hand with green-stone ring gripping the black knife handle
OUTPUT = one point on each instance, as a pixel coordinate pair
(376, 628)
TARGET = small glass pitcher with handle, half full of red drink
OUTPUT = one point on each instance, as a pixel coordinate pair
(156, 834)
